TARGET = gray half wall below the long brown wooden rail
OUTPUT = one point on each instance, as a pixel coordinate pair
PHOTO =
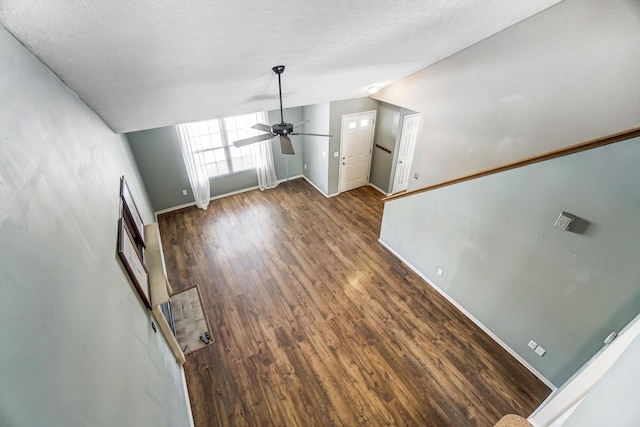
(507, 265)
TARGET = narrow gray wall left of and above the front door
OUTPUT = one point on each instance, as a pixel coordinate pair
(337, 110)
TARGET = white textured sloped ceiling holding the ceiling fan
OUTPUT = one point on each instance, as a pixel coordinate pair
(142, 64)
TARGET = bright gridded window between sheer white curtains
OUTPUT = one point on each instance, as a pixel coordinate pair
(213, 143)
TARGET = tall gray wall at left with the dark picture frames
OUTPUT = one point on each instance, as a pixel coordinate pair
(77, 348)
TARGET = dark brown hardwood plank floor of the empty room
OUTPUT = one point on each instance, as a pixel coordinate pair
(316, 324)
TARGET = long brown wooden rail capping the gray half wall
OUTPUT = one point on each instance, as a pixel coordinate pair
(584, 146)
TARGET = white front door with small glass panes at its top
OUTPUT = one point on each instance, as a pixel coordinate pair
(356, 141)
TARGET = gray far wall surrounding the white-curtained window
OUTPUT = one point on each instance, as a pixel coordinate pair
(157, 153)
